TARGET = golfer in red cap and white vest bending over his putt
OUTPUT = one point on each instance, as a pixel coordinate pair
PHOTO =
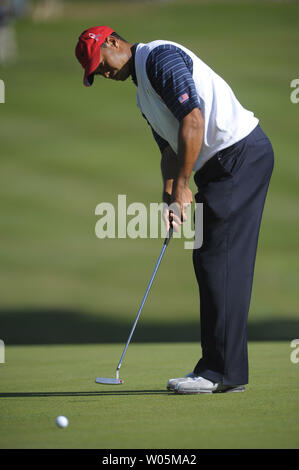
(201, 127)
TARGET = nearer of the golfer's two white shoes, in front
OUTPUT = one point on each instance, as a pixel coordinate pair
(199, 384)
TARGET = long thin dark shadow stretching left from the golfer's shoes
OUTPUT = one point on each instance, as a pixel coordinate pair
(84, 394)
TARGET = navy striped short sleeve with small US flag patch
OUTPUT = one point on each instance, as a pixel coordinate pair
(170, 70)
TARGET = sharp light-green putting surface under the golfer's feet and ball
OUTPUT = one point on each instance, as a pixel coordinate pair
(39, 383)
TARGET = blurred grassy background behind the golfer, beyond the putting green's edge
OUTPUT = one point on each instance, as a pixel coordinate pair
(65, 148)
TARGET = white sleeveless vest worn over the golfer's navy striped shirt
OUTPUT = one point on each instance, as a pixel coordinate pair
(226, 121)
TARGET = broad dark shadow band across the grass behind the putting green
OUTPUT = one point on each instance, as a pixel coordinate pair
(58, 326)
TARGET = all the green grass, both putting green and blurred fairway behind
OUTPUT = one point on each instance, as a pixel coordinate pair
(64, 149)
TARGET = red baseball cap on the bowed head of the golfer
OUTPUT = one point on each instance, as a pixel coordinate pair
(88, 50)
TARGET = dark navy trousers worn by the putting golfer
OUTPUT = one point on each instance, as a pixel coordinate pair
(232, 186)
